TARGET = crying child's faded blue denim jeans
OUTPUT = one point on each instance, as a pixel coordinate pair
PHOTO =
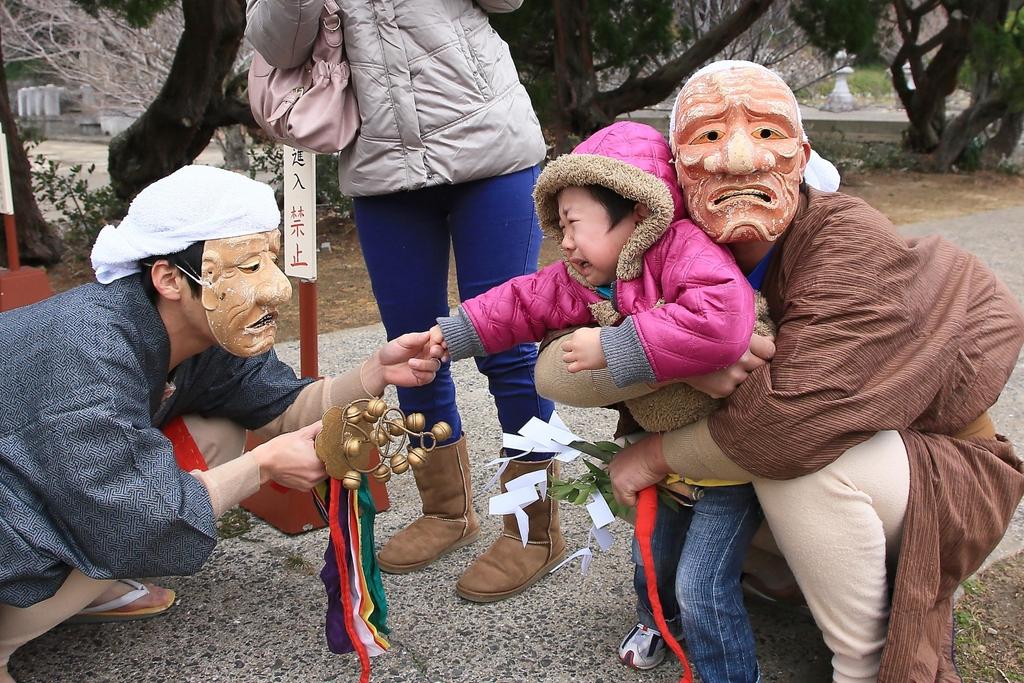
(699, 554)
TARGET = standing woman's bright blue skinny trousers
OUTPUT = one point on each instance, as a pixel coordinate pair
(492, 227)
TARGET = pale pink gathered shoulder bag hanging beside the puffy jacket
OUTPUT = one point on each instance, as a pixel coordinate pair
(311, 107)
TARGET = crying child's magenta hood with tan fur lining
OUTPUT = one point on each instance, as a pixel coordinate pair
(631, 159)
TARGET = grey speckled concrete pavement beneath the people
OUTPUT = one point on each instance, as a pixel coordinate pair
(255, 612)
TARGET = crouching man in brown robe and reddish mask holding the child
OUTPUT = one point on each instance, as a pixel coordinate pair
(870, 423)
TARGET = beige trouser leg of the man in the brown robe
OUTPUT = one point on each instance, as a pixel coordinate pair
(840, 531)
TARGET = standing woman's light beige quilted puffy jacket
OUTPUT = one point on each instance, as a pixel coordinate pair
(439, 95)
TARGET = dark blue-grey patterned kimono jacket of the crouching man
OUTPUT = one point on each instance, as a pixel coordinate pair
(88, 480)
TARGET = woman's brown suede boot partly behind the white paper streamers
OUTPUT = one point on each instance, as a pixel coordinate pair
(507, 569)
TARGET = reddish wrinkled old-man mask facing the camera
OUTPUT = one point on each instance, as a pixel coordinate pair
(741, 153)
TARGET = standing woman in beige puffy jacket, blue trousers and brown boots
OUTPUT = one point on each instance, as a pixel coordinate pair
(446, 158)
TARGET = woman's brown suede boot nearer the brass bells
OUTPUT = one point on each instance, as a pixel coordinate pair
(449, 521)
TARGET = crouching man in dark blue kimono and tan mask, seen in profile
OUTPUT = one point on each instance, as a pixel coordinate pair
(181, 325)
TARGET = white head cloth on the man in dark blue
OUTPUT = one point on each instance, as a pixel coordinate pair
(194, 204)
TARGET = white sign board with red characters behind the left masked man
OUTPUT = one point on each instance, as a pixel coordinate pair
(301, 214)
